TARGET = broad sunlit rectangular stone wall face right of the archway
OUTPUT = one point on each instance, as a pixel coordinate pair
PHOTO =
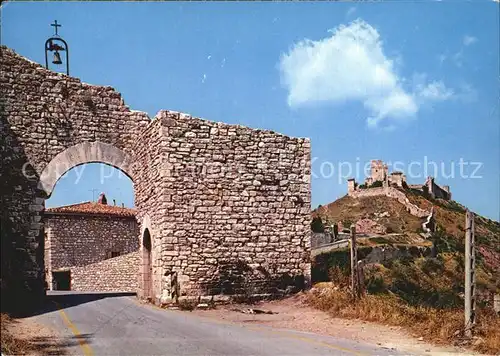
(233, 199)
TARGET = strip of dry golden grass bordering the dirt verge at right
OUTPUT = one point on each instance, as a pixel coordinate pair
(438, 325)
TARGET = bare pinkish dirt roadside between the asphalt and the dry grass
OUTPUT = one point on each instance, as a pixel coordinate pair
(293, 313)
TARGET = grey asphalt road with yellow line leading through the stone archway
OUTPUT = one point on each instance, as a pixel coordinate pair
(120, 325)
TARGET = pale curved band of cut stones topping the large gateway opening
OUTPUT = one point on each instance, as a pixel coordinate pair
(85, 152)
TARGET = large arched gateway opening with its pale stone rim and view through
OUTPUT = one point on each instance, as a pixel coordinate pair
(89, 221)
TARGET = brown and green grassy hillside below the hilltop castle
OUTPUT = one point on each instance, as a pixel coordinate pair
(424, 294)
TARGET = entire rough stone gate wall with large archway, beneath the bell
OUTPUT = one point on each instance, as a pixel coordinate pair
(220, 198)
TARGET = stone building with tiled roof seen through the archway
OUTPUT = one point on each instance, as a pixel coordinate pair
(82, 234)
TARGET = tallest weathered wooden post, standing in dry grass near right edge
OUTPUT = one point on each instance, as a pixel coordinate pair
(470, 277)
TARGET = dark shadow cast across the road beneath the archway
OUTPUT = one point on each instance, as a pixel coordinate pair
(61, 300)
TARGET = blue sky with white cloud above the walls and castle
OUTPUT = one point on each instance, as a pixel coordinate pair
(399, 81)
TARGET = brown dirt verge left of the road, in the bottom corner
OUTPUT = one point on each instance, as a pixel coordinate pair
(26, 337)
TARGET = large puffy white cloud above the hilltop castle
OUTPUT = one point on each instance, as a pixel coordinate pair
(350, 65)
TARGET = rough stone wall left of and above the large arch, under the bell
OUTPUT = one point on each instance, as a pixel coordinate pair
(42, 114)
